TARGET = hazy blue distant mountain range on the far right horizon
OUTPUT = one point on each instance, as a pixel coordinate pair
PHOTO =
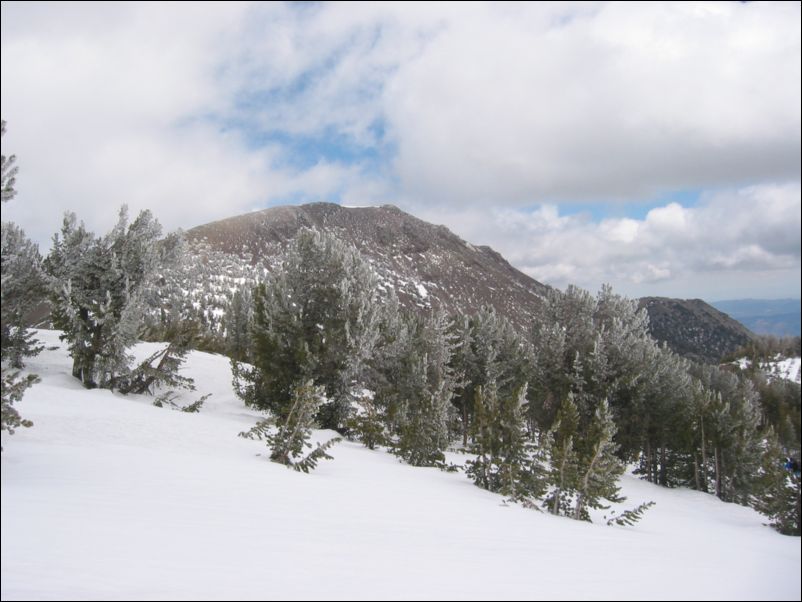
(778, 317)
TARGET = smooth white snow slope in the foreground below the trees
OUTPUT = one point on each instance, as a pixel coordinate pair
(108, 497)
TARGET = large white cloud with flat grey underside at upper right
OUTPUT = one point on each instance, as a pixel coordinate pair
(623, 102)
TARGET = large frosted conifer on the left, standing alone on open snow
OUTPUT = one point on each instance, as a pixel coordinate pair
(97, 293)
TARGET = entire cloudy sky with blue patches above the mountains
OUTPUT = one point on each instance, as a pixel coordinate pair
(652, 146)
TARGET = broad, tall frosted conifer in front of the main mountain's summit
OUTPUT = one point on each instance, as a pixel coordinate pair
(314, 319)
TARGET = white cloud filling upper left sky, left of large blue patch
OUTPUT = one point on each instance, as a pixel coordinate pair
(117, 104)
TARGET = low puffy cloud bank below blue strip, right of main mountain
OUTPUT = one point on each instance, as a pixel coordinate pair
(731, 236)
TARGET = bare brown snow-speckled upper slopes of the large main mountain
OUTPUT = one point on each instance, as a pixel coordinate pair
(427, 265)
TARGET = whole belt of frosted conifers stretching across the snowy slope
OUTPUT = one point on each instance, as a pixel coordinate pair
(550, 415)
